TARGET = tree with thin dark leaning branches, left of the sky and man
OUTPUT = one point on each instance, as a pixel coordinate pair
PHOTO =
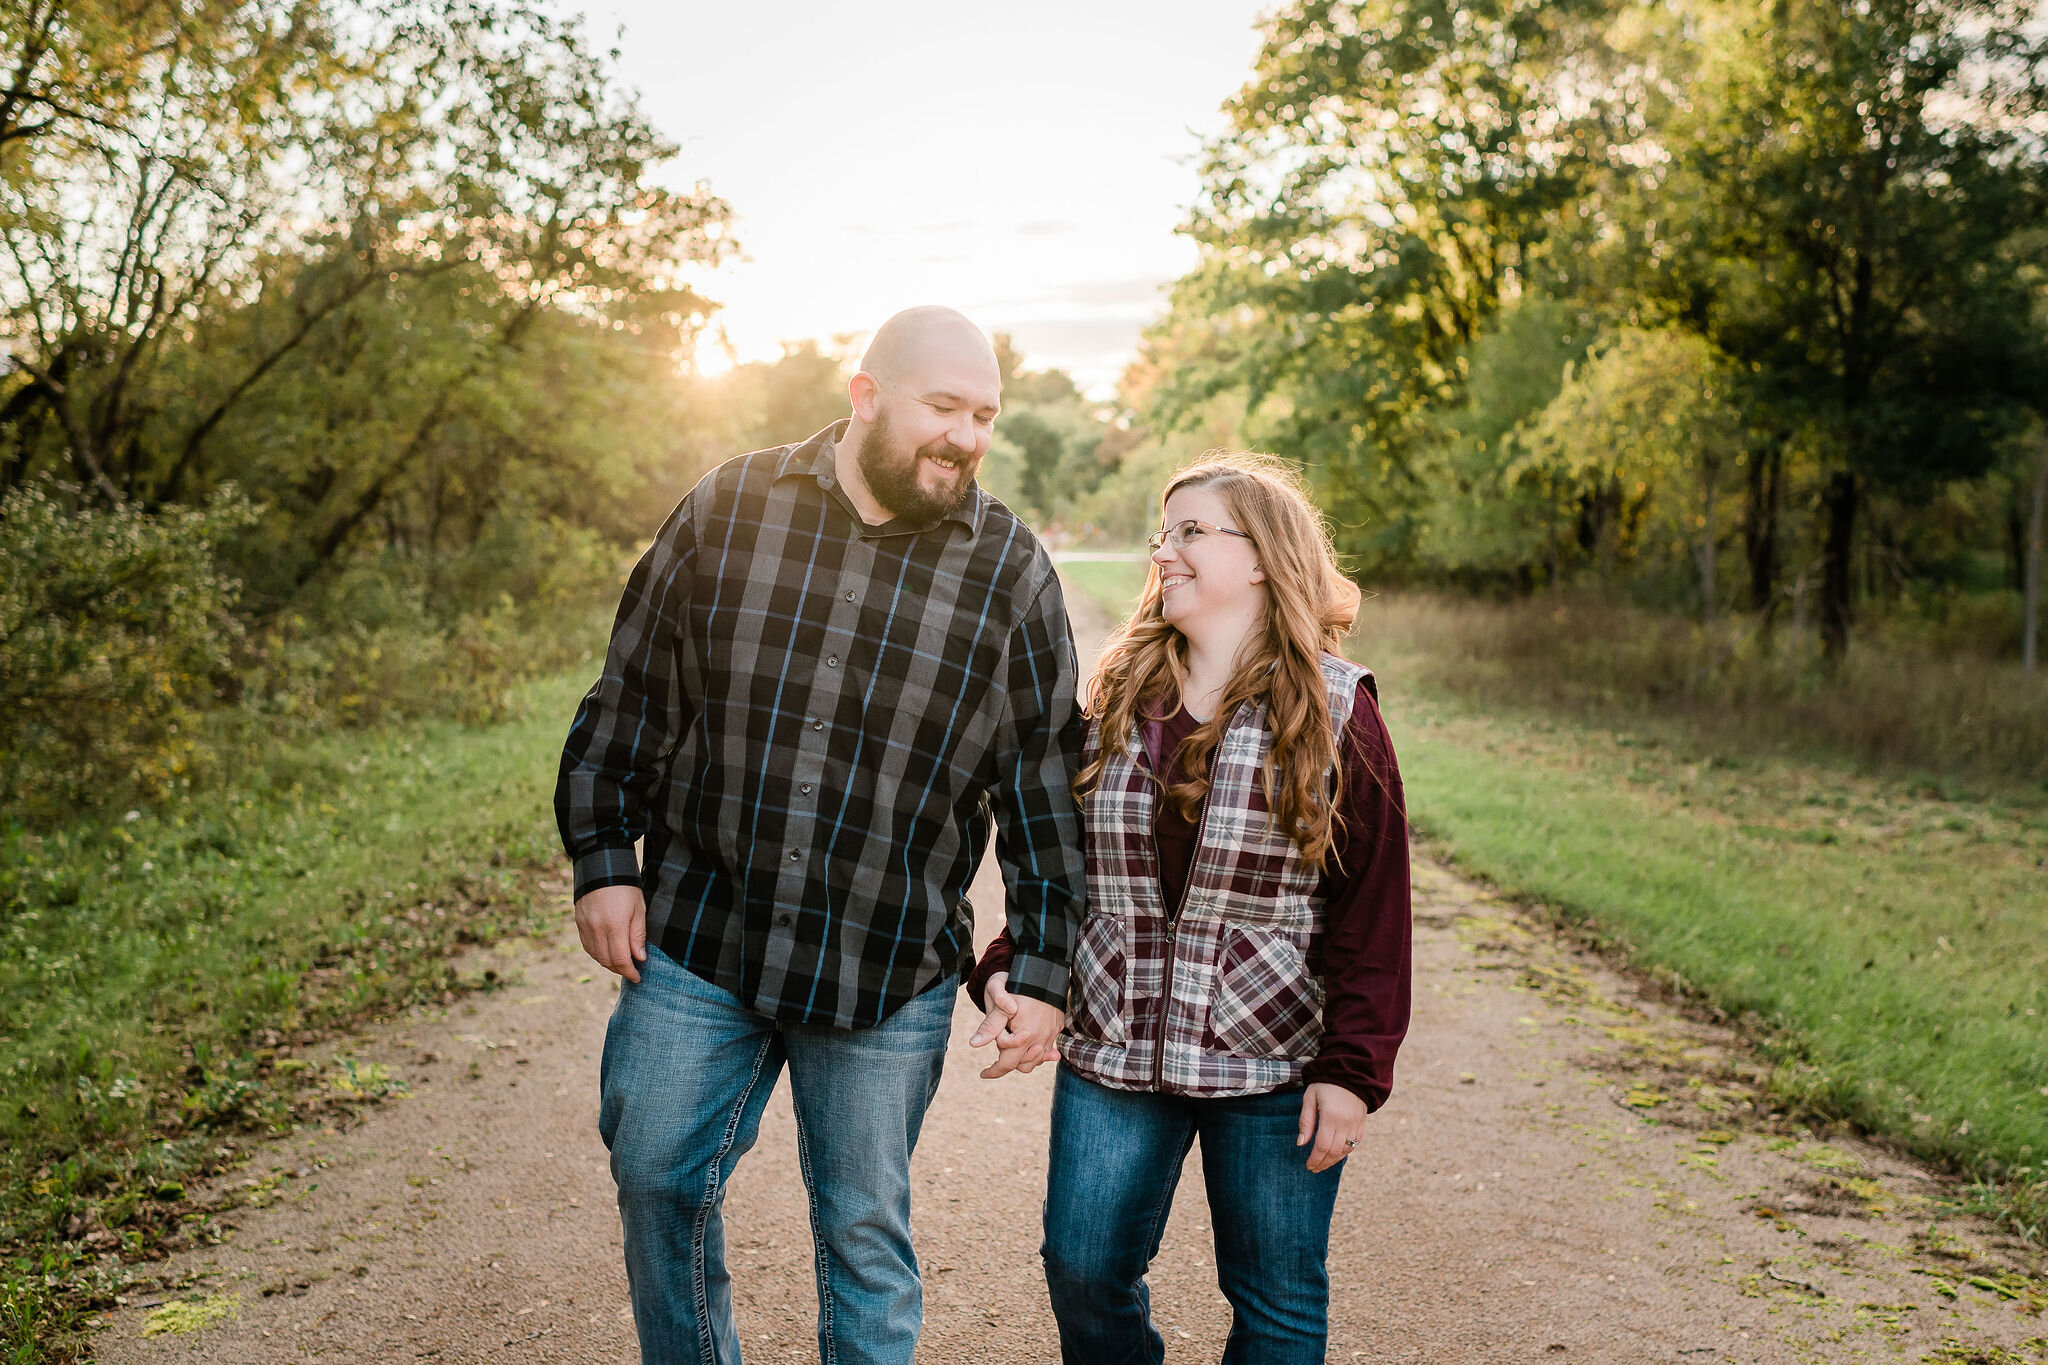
(388, 197)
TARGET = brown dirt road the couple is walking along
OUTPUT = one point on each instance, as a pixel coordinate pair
(1570, 1172)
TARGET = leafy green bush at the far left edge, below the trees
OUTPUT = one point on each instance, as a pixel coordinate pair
(116, 633)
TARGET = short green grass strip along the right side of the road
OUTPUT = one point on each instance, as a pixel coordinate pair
(1883, 940)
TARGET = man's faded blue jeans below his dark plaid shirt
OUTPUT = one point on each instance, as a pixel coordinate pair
(687, 1075)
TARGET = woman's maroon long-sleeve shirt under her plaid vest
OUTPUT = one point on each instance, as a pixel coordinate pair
(1365, 895)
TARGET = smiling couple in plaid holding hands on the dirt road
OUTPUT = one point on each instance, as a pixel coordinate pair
(835, 674)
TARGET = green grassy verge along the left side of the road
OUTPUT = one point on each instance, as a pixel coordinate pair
(167, 981)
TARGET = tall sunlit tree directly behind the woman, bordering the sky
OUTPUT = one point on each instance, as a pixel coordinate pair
(1392, 177)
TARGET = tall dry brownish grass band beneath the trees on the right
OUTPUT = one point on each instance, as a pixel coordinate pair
(1895, 703)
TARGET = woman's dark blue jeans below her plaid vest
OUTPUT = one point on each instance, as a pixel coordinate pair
(1117, 1159)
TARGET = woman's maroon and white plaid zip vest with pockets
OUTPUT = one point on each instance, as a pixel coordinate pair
(1226, 1000)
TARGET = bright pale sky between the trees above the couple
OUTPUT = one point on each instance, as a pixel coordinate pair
(1023, 163)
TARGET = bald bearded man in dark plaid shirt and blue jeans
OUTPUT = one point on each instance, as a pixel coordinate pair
(839, 664)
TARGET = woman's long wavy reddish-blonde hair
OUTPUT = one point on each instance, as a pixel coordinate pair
(1310, 609)
